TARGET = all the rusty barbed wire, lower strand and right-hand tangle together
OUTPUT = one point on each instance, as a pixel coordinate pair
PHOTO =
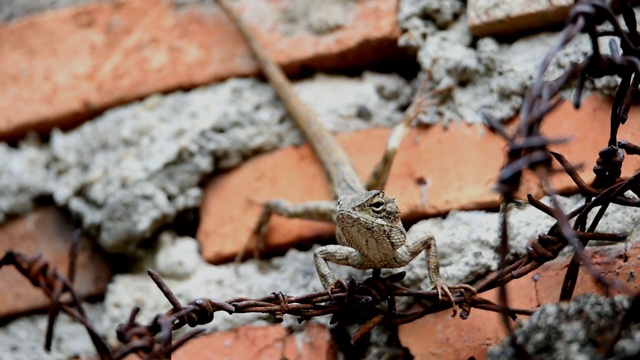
(373, 301)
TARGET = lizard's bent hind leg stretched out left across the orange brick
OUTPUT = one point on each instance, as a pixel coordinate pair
(313, 210)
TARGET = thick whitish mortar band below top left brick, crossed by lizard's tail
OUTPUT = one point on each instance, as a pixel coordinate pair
(129, 171)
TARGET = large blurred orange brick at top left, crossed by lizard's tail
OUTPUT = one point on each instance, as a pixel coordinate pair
(61, 67)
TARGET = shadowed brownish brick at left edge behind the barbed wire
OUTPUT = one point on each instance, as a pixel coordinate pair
(48, 232)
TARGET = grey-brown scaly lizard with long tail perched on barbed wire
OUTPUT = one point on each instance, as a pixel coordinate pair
(369, 232)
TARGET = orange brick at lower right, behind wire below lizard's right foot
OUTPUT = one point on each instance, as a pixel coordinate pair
(439, 336)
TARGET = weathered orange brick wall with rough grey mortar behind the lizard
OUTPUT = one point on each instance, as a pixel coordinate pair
(141, 126)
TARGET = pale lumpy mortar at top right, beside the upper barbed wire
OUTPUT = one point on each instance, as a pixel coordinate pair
(485, 75)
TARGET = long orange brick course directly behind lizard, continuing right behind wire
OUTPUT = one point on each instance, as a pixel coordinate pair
(460, 165)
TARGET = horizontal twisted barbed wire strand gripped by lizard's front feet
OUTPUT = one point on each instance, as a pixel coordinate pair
(367, 304)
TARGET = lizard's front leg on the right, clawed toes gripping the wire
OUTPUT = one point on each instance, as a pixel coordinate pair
(427, 242)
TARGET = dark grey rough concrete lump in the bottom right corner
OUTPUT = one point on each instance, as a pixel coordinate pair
(579, 329)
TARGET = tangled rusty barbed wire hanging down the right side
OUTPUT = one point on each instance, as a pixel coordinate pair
(528, 148)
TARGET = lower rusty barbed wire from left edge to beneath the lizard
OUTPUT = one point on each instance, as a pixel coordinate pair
(368, 304)
